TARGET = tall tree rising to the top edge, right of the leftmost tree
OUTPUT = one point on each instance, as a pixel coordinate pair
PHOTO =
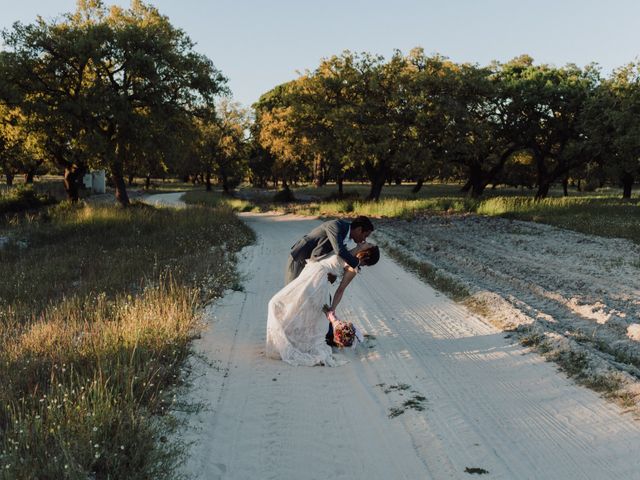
(147, 69)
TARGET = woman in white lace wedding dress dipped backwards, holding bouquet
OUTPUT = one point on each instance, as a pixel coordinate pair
(297, 325)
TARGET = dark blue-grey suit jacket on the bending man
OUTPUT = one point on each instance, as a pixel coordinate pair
(324, 239)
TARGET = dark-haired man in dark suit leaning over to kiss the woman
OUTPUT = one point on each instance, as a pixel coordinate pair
(329, 237)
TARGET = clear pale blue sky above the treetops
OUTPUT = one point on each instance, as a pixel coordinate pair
(258, 44)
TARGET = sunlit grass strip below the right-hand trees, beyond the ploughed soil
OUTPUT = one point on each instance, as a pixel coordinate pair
(601, 213)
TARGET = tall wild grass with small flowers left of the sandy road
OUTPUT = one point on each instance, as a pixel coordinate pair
(98, 306)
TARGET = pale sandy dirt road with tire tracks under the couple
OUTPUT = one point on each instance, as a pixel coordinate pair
(475, 399)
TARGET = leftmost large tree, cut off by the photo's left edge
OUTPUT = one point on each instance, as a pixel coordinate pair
(45, 74)
